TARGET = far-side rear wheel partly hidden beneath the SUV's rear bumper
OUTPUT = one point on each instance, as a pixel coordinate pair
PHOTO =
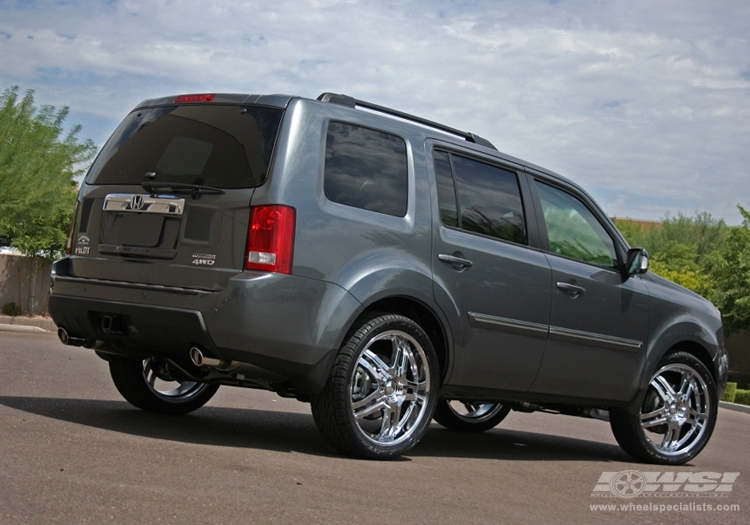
(149, 385)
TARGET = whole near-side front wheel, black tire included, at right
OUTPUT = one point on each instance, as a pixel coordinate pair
(673, 420)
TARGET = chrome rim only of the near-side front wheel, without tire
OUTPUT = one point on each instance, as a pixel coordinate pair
(675, 413)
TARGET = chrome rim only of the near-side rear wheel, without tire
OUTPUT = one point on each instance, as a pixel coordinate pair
(389, 388)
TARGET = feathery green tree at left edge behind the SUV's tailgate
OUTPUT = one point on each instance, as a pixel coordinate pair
(38, 164)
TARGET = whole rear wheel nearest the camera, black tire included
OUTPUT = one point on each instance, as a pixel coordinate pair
(381, 391)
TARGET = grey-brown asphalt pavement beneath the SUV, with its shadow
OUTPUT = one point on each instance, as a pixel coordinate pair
(72, 451)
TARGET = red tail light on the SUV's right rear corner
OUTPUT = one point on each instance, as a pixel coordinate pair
(270, 243)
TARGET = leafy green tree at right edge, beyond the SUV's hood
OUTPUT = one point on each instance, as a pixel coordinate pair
(729, 268)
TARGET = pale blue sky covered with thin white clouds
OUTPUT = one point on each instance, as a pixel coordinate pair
(646, 103)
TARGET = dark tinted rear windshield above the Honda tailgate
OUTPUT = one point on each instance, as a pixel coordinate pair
(212, 145)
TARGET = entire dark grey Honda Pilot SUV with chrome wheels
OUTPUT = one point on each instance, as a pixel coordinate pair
(385, 268)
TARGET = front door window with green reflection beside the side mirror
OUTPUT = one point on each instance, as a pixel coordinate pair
(573, 230)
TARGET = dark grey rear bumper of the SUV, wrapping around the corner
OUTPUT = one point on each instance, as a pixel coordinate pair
(288, 325)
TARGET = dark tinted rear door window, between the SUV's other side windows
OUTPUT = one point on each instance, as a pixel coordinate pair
(488, 199)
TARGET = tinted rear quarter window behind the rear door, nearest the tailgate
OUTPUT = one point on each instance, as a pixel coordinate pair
(366, 169)
